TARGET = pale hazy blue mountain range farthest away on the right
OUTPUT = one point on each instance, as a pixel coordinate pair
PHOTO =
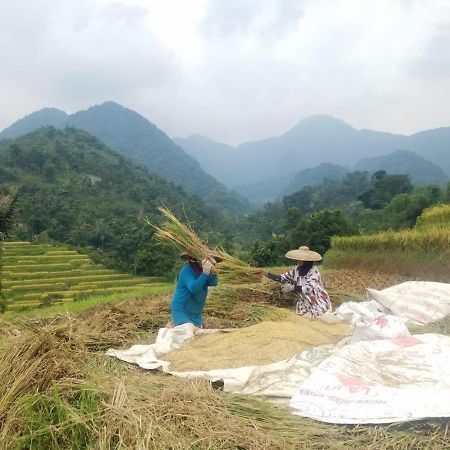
(313, 141)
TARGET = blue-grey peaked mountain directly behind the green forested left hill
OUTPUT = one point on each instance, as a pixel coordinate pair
(135, 137)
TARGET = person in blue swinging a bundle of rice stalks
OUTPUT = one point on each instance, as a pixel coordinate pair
(192, 289)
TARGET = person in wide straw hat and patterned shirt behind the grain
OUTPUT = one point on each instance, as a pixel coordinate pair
(305, 282)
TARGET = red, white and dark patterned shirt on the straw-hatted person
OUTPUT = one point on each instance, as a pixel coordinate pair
(313, 300)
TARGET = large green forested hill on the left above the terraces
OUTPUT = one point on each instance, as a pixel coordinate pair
(75, 189)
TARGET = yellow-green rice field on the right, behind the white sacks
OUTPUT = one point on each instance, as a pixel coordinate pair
(422, 252)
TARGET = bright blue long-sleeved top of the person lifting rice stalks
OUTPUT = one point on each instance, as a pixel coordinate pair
(190, 296)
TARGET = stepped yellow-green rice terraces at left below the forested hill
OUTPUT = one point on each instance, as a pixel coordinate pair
(43, 275)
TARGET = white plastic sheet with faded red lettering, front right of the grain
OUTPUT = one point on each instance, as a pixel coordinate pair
(379, 382)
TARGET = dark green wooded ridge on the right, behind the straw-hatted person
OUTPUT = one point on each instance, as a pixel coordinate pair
(358, 203)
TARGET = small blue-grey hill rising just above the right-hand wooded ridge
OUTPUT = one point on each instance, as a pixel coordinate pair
(405, 162)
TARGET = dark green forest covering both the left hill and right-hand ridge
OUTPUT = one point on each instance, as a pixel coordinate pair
(74, 189)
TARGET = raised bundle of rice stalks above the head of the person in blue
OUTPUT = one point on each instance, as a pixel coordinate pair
(180, 235)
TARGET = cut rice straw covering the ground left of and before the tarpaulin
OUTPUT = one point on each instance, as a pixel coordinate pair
(59, 391)
